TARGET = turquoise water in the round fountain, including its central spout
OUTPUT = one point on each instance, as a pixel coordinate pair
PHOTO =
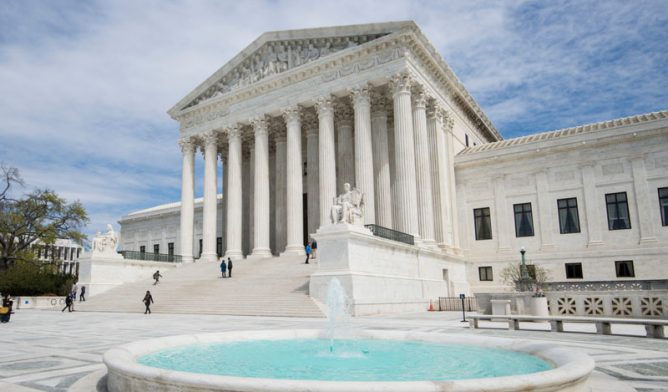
(339, 359)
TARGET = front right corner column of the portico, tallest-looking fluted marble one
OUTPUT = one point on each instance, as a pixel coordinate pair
(405, 203)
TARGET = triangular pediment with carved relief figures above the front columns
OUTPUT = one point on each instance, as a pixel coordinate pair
(280, 51)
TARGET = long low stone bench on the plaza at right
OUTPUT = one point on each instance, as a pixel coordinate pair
(654, 328)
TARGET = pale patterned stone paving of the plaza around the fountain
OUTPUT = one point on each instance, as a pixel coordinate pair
(54, 351)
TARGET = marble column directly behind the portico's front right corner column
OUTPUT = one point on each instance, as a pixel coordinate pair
(423, 169)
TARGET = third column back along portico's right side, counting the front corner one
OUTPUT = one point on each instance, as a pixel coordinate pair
(438, 166)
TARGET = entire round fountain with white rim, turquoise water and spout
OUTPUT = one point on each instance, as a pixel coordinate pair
(342, 359)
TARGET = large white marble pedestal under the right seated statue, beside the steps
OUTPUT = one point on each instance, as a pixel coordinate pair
(383, 276)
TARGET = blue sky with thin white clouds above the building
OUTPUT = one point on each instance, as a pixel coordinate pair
(85, 86)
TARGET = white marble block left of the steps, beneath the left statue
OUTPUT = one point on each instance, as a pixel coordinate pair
(100, 274)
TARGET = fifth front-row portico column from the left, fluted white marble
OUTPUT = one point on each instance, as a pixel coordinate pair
(294, 201)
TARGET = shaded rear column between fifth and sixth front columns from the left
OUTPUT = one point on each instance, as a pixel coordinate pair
(312, 182)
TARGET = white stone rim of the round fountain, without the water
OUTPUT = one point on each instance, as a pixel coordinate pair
(570, 371)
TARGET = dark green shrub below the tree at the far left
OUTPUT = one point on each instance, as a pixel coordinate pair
(25, 278)
